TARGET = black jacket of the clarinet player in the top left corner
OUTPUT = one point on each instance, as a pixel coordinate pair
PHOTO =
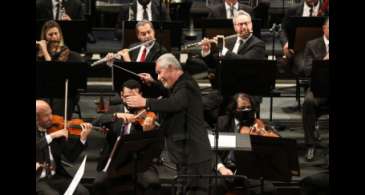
(73, 8)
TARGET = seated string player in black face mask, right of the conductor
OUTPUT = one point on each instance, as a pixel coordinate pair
(241, 118)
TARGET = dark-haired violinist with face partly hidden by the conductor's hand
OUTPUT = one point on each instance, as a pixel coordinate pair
(120, 120)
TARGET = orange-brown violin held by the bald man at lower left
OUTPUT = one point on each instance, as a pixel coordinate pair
(73, 126)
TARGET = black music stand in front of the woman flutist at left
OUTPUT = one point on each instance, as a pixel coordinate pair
(51, 78)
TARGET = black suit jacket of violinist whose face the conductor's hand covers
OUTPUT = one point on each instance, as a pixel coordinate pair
(114, 127)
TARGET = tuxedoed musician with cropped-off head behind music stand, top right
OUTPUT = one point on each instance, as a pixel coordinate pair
(309, 8)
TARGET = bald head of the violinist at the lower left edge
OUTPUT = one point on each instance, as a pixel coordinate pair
(43, 114)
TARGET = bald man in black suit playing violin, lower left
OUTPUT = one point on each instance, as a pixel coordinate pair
(51, 176)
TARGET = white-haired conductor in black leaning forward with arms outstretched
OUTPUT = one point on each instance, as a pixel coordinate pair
(182, 121)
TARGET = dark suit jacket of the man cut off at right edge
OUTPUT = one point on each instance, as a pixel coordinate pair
(314, 50)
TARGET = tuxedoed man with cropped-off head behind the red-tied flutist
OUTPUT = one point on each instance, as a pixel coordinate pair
(140, 10)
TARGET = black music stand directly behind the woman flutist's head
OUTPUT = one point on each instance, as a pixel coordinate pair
(74, 33)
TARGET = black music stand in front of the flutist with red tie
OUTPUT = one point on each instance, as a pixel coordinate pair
(120, 76)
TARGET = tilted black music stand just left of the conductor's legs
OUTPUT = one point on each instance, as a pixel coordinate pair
(135, 154)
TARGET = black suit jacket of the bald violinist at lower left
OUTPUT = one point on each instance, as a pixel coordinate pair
(70, 149)
